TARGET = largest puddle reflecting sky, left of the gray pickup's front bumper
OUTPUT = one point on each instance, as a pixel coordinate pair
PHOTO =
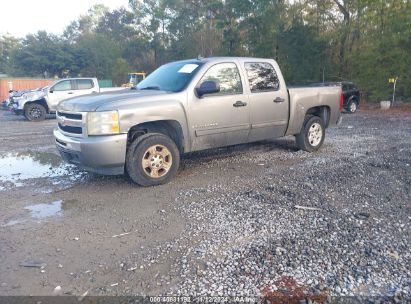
(16, 167)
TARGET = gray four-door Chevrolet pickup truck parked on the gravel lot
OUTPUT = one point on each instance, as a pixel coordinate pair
(187, 106)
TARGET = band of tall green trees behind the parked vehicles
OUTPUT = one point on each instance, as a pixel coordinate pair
(364, 41)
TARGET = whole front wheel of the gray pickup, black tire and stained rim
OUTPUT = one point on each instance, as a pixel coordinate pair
(139, 149)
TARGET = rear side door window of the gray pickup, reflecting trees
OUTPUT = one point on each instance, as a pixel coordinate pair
(262, 77)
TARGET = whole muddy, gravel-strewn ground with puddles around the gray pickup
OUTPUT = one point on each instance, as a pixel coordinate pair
(228, 224)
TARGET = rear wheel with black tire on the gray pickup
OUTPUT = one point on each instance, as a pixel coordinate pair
(311, 137)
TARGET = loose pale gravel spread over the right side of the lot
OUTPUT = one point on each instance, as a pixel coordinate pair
(252, 235)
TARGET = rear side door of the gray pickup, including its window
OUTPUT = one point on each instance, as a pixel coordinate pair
(269, 105)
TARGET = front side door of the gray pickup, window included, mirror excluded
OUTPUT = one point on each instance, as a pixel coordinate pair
(220, 119)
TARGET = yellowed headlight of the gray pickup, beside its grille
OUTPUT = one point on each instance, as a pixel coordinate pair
(103, 123)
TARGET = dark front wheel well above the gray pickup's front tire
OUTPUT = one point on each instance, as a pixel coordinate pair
(170, 128)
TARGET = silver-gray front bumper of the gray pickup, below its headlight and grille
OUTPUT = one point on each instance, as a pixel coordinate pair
(99, 154)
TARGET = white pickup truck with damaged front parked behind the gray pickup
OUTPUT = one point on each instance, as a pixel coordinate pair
(35, 104)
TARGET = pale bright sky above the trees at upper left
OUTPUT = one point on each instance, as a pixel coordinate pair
(21, 17)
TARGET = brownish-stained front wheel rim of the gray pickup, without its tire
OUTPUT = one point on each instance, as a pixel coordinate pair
(157, 161)
